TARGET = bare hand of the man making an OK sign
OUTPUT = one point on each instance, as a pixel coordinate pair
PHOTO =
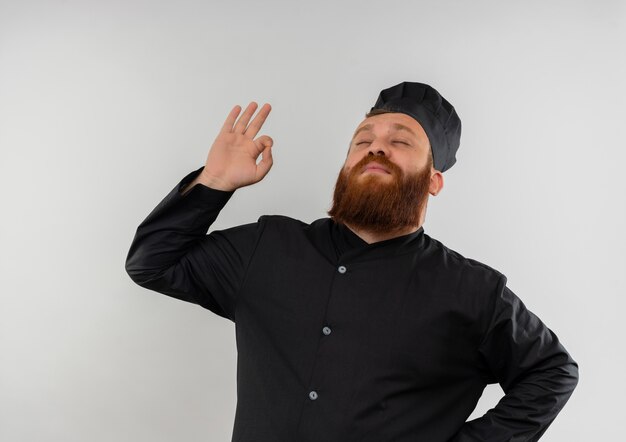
(232, 159)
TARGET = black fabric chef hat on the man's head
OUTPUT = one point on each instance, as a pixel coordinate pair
(433, 112)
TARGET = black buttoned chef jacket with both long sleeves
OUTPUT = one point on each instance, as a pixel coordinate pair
(339, 340)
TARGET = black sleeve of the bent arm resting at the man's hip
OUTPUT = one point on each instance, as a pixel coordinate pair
(535, 371)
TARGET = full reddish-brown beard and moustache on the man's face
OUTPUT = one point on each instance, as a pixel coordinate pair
(377, 204)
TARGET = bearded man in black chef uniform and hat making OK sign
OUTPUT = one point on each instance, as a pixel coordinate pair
(357, 327)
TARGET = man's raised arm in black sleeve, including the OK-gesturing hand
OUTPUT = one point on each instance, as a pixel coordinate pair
(171, 252)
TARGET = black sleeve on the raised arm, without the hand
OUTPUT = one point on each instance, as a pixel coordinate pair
(172, 254)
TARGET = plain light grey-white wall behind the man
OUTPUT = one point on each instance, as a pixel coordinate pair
(105, 106)
